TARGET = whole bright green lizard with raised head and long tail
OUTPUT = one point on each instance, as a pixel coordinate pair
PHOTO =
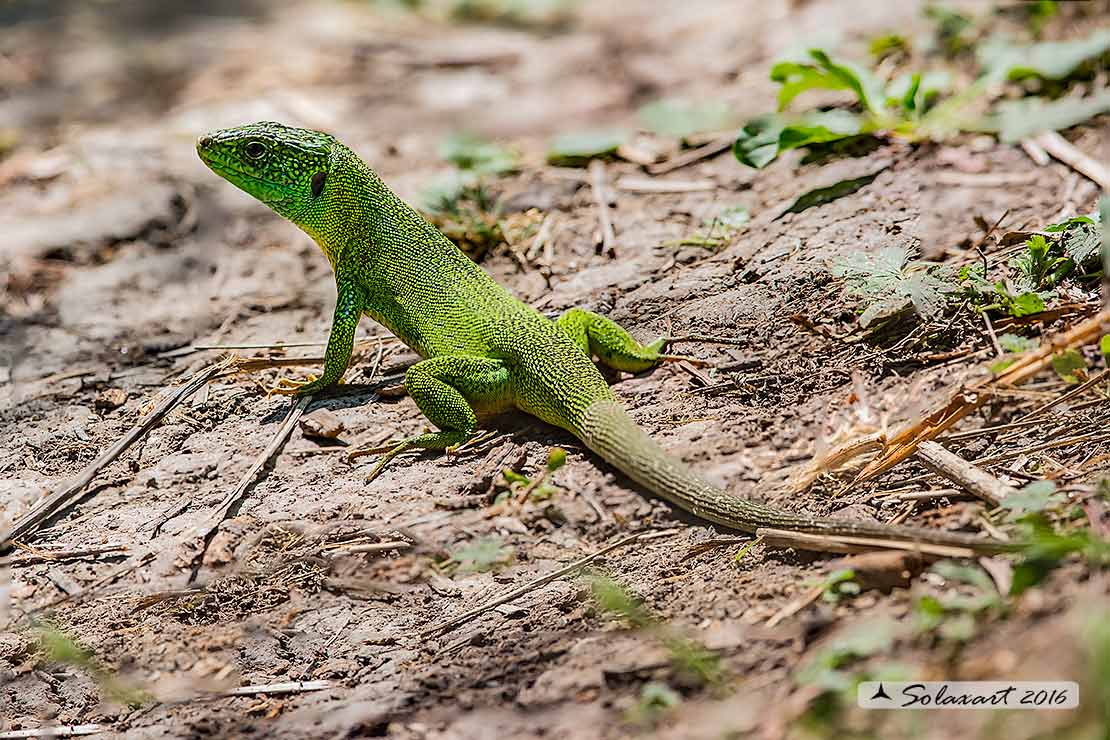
(483, 350)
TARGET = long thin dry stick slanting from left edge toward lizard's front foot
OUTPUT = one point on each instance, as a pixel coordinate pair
(63, 500)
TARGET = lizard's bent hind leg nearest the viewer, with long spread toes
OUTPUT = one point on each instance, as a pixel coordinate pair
(448, 390)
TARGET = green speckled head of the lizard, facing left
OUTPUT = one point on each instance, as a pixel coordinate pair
(284, 167)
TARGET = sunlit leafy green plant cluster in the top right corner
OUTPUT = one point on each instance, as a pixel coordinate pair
(922, 106)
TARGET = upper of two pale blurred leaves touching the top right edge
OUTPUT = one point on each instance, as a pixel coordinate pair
(1054, 60)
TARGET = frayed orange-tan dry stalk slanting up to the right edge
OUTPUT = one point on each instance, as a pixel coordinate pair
(904, 444)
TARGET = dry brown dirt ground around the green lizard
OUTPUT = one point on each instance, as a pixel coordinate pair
(123, 254)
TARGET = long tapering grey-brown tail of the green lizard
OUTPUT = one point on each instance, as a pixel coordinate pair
(609, 431)
